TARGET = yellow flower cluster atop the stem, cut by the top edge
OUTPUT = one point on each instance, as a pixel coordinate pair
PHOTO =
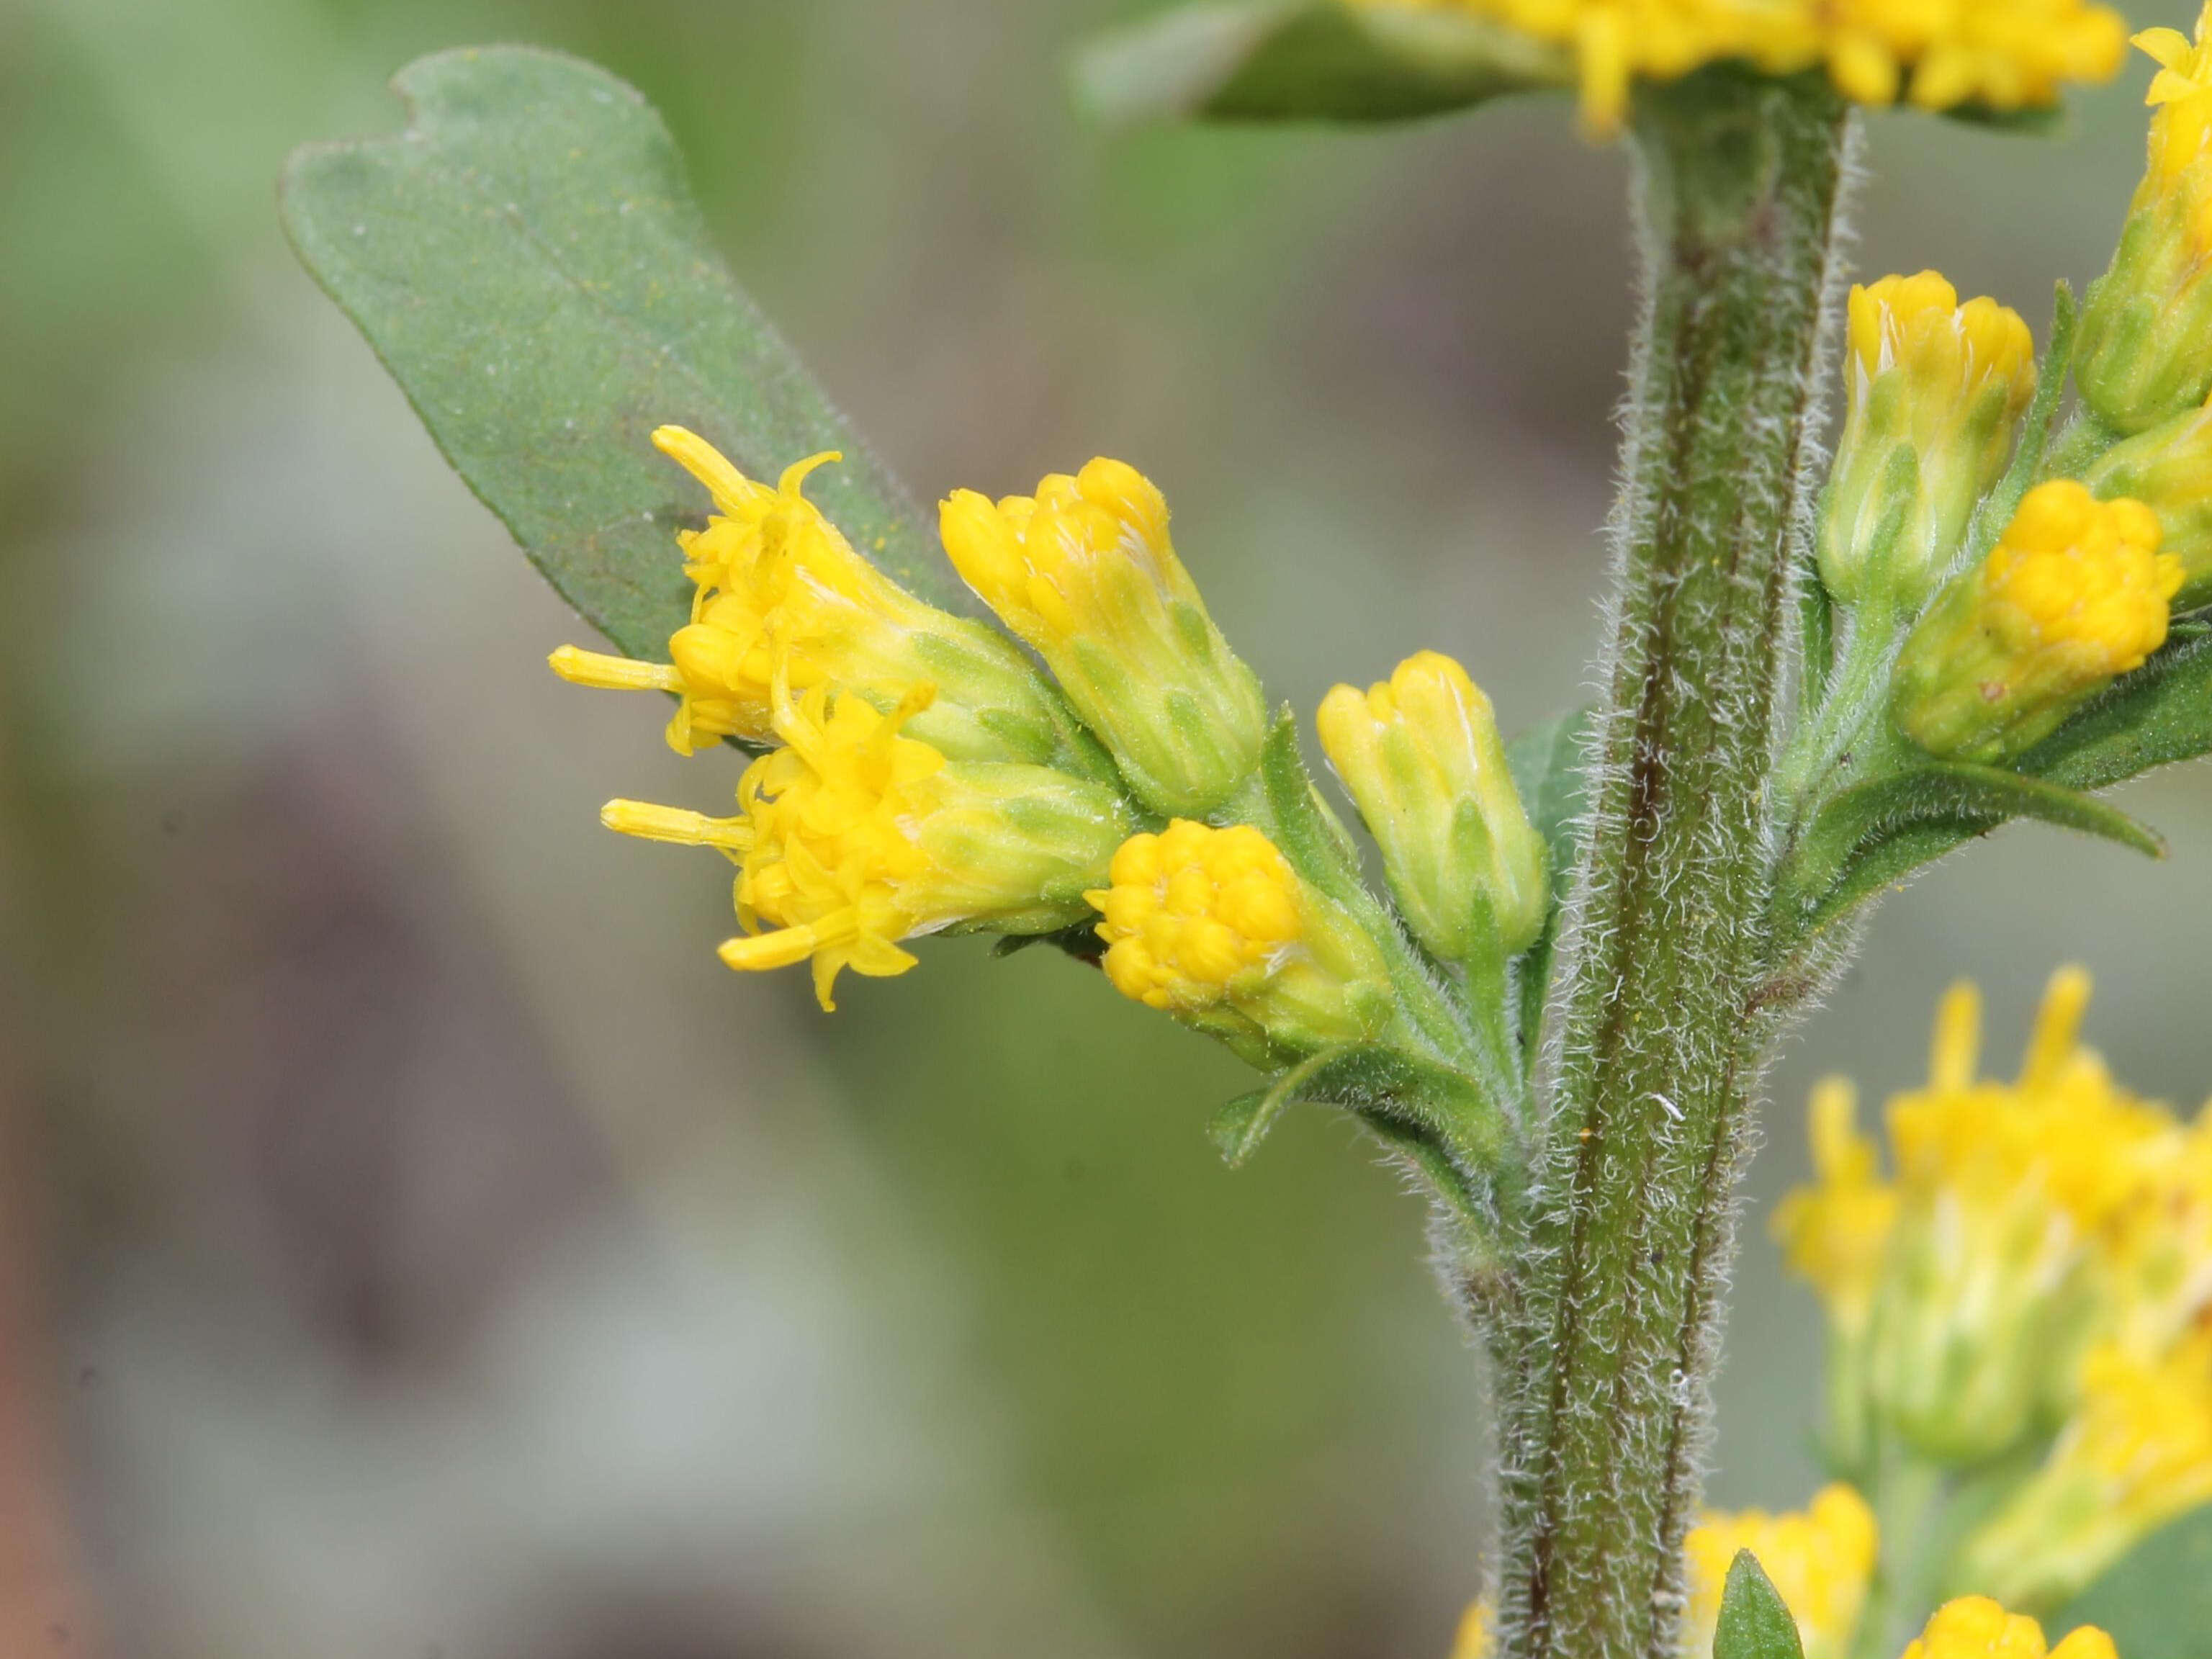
(2003, 54)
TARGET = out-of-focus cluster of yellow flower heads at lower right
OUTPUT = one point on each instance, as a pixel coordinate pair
(2034, 1284)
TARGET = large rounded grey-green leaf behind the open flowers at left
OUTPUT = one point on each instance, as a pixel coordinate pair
(530, 267)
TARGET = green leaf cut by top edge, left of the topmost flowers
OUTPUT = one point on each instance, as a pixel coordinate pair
(1311, 61)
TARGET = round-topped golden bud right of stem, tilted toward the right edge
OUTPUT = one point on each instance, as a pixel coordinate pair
(2074, 594)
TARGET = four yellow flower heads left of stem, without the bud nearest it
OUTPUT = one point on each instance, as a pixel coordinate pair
(921, 775)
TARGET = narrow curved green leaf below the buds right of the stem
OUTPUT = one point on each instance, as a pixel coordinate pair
(1884, 828)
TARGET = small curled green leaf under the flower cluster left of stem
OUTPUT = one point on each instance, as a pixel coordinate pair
(1397, 1094)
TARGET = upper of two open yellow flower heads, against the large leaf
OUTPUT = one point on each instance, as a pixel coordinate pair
(778, 589)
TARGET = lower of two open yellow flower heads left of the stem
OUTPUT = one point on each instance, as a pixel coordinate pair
(855, 837)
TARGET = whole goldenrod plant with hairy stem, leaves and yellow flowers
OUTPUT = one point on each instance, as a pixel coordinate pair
(1556, 990)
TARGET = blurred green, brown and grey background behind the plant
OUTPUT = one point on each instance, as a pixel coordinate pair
(417, 1246)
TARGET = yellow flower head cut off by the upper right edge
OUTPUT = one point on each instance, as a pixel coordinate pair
(2142, 355)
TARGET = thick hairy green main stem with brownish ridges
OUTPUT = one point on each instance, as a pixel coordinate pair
(1660, 1021)
